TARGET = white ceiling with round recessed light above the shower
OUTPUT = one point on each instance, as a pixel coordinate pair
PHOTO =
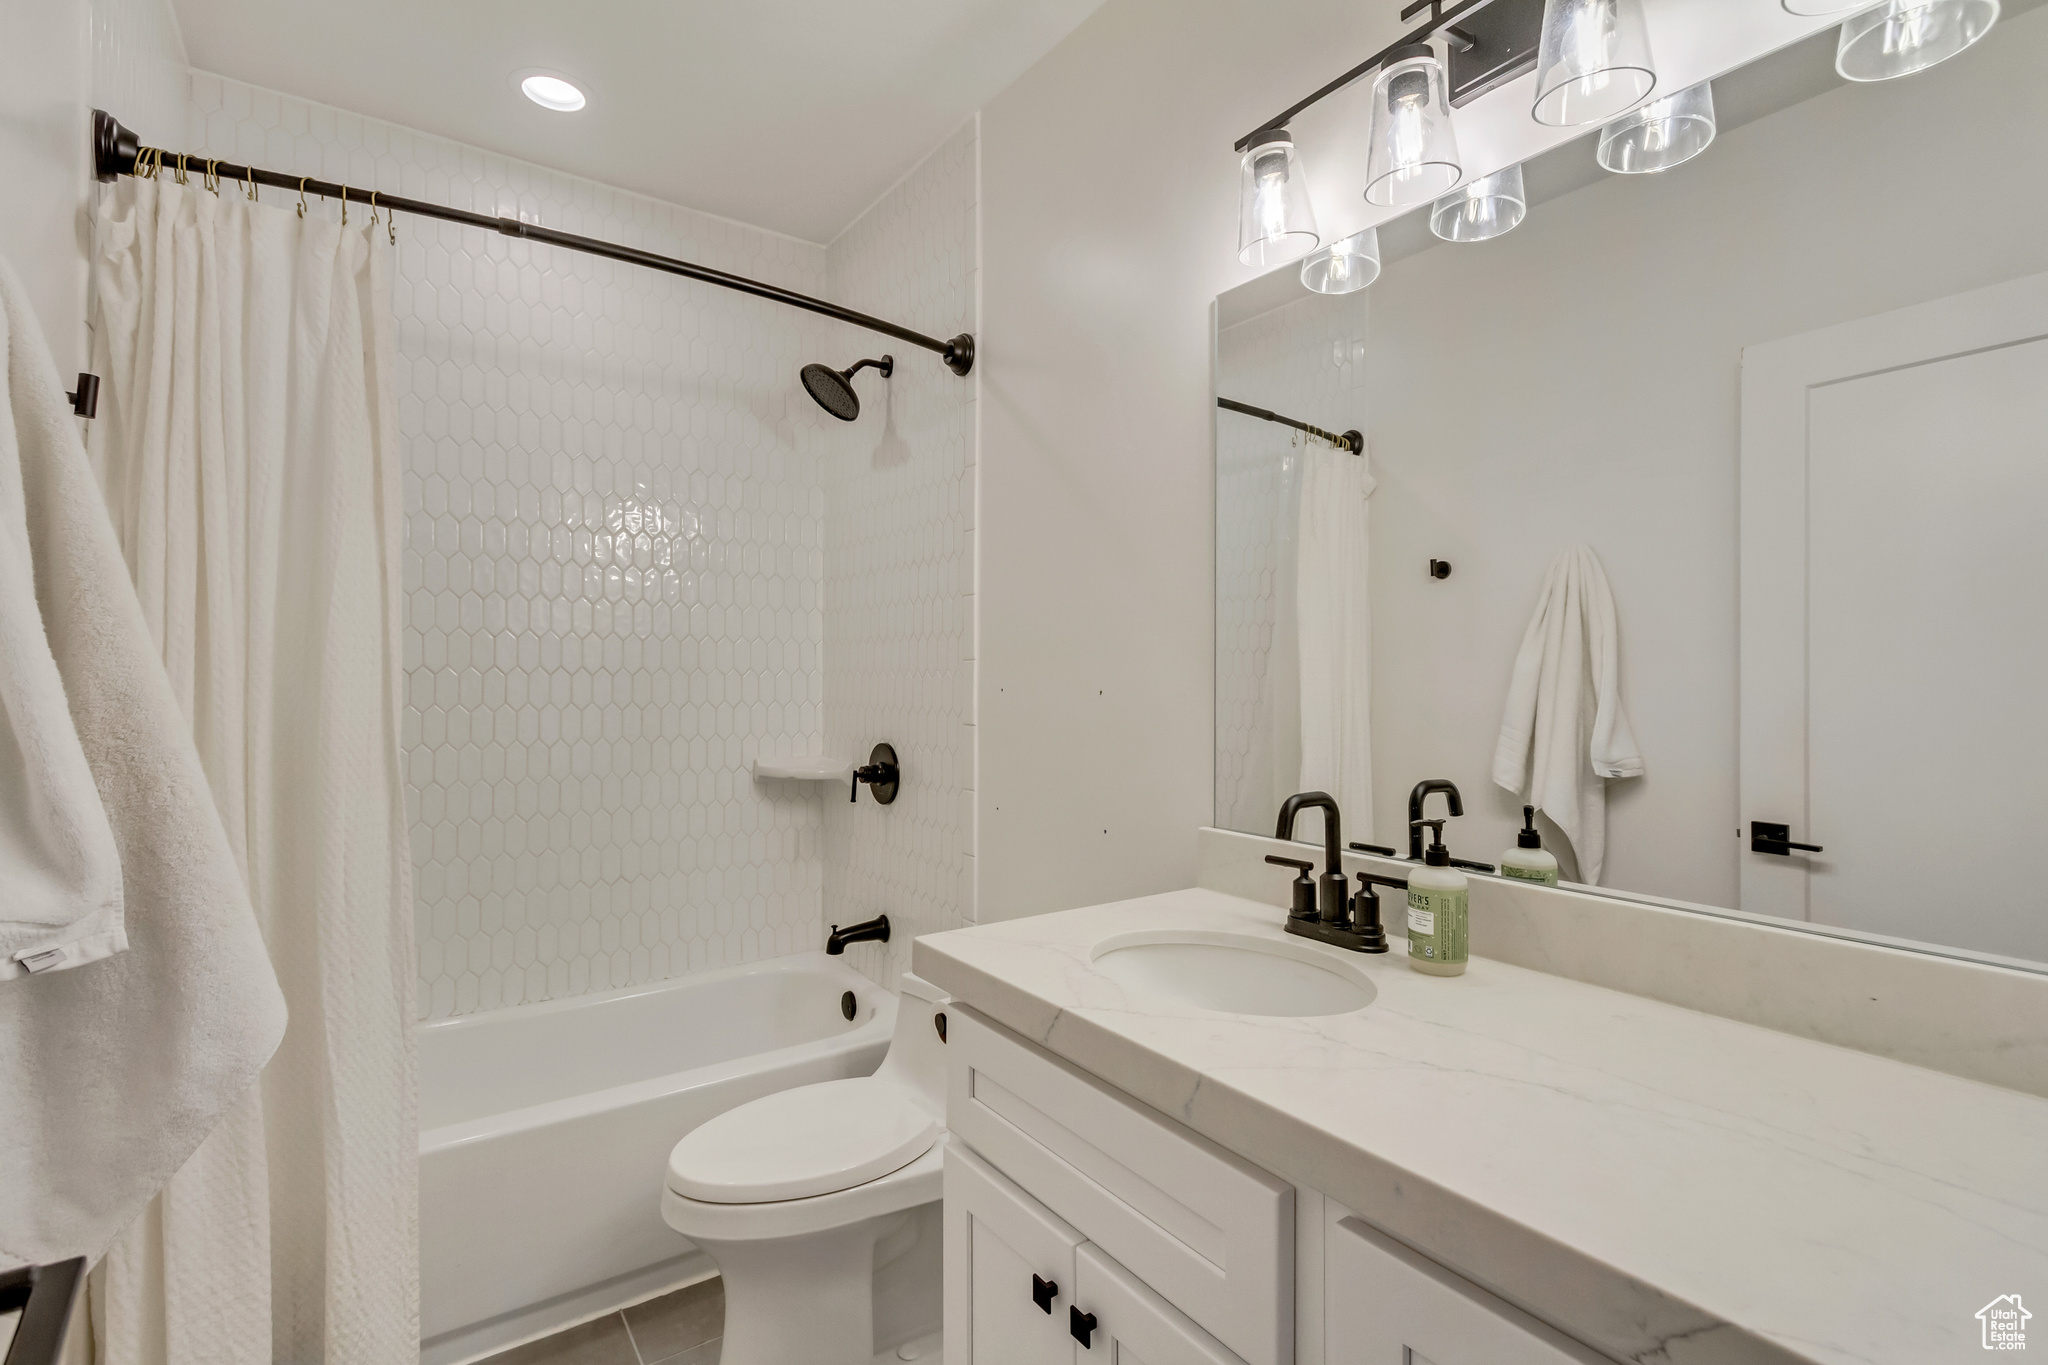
(792, 116)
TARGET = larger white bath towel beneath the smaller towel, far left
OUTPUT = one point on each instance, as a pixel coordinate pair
(116, 1071)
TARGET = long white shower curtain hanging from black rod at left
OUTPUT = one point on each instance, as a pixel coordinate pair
(249, 449)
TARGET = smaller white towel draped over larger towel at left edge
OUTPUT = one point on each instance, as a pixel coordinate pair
(60, 873)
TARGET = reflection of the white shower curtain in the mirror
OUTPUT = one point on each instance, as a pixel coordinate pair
(1334, 635)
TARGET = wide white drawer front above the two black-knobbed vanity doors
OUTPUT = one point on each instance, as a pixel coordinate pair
(1205, 1229)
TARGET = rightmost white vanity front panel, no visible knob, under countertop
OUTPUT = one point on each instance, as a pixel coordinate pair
(1385, 1305)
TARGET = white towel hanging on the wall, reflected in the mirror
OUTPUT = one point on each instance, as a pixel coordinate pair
(1566, 732)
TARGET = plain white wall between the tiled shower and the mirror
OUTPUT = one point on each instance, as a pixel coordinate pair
(1109, 226)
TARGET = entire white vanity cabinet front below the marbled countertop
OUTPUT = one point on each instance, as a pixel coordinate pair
(1086, 1229)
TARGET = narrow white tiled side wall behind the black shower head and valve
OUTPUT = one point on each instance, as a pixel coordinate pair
(900, 556)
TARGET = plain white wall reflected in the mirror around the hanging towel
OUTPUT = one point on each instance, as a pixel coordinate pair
(1580, 382)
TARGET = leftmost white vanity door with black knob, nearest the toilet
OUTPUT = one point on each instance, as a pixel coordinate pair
(1009, 1272)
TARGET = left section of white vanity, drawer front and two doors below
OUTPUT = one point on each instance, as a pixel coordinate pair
(1193, 1245)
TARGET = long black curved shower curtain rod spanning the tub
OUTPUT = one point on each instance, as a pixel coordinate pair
(116, 152)
